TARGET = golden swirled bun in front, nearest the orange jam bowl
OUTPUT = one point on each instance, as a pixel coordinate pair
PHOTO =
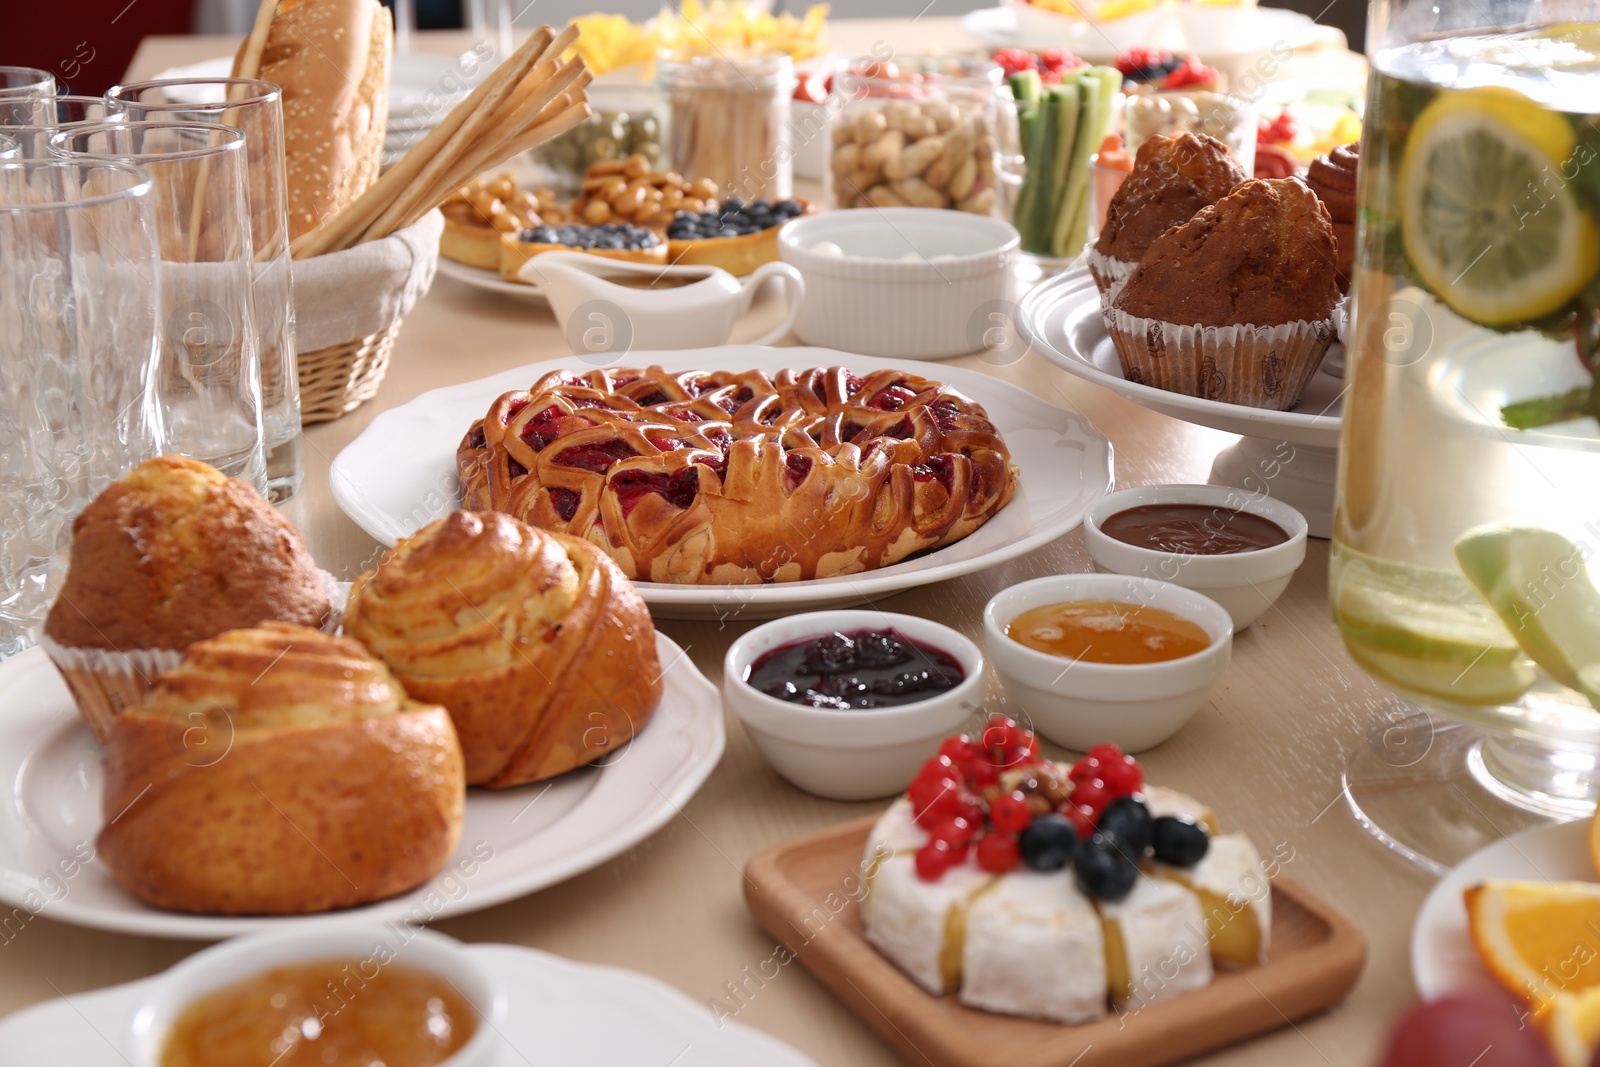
(279, 772)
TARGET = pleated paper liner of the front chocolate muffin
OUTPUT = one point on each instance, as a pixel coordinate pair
(1258, 367)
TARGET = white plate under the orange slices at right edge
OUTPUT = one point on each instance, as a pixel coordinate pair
(1444, 961)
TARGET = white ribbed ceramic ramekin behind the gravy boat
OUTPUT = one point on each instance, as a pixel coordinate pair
(874, 302)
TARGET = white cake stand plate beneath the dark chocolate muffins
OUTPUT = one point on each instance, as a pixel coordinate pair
(1063, 322)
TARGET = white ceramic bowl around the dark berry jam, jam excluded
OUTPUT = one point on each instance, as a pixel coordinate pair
(850, 756)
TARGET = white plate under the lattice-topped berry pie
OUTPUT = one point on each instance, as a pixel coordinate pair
(1065, 468)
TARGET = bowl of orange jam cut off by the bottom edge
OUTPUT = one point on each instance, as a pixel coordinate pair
(324, 994)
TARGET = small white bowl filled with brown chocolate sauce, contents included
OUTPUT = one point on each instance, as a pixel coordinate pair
(1238, 548)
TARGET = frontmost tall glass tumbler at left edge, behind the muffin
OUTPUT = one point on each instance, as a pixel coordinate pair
(79, 302)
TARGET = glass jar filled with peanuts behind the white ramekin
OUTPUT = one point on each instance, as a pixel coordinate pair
(924, 132)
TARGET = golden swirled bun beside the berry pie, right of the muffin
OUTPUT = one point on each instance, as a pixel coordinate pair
(537, 644)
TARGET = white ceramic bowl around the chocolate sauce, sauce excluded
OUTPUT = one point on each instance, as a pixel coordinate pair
(1244, 583)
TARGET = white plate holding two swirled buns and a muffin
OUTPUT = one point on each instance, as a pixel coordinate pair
(514, 841)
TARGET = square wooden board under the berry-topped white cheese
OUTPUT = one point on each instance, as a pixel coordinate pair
(806, 893)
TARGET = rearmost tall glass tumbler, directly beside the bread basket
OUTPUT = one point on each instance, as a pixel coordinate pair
(255, 108)
